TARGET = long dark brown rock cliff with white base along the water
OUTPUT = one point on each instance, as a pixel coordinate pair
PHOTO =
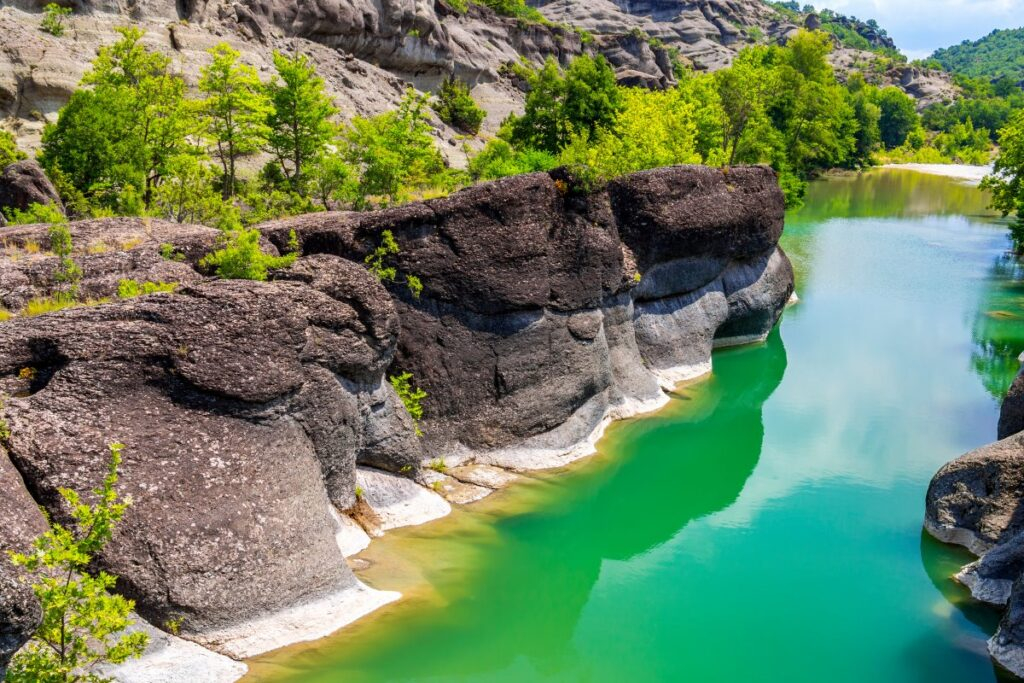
(252, 411)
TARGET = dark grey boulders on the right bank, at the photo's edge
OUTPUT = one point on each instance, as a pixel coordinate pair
(976, 502)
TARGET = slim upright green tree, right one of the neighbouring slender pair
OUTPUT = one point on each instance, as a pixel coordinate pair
(300, 123)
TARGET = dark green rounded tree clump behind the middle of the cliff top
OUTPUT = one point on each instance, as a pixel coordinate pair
(582, 102)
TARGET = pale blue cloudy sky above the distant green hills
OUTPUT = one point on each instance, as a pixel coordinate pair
(920, 27)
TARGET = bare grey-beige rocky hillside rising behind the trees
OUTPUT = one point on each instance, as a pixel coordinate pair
(369, 53)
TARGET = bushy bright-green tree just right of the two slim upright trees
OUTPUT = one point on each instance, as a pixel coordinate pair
(394, 153)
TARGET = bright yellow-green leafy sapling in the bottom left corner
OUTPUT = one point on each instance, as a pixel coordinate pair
(83, 624)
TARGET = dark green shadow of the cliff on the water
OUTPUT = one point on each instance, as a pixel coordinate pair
(523, 601)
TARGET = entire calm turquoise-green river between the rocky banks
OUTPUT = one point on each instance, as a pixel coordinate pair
(766, 526)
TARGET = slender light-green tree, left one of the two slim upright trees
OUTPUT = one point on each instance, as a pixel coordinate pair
(235, 112)
